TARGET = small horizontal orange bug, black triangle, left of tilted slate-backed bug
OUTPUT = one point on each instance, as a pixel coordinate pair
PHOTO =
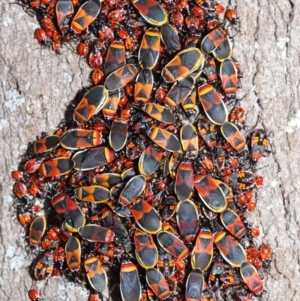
(95, 194)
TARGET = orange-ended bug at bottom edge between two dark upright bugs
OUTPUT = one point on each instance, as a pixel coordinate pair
(158, 283)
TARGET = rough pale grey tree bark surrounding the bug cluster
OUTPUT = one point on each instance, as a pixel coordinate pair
(37, 85)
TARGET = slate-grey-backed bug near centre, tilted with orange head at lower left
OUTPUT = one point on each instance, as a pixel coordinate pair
(133, 188)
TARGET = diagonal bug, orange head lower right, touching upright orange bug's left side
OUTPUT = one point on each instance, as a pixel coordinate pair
(172, 244)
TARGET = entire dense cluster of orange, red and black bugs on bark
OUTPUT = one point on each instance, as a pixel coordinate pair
(144, 194)
